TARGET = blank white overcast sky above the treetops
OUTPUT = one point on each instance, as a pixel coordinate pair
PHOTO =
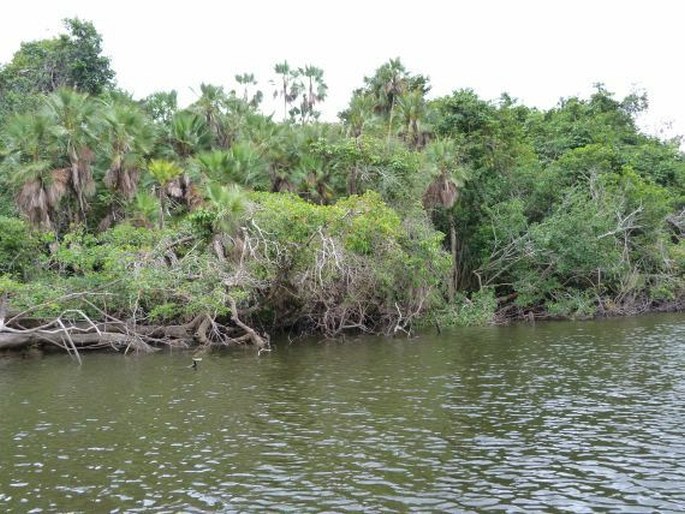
(535, 50)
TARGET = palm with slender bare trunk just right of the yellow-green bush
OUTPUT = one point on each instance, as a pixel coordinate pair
(447, 177)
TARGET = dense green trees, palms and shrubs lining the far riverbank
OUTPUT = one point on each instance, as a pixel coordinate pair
(140, 222)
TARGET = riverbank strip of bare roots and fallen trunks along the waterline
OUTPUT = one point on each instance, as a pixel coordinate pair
(33, 336)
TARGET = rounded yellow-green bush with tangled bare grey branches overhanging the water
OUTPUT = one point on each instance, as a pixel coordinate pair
(354, 256)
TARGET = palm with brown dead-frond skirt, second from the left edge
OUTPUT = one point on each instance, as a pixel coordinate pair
(72, 114)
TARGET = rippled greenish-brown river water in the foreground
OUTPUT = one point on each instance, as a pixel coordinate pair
(574, 417)
